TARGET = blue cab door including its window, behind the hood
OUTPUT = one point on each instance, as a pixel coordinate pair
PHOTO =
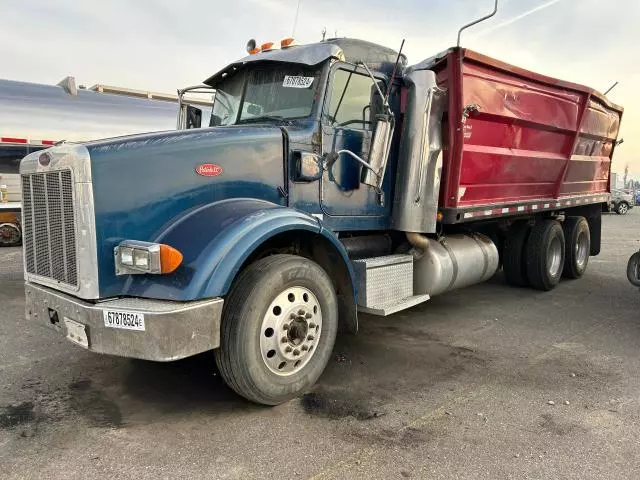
(348, 119)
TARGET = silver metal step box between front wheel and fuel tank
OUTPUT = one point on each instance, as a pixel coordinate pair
(385, 284)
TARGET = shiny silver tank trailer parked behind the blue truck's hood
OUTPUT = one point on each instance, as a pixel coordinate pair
(36, 116)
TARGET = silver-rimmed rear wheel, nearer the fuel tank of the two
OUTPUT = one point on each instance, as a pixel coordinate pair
(545, 255)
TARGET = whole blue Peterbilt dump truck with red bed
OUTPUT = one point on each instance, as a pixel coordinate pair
(334, 179)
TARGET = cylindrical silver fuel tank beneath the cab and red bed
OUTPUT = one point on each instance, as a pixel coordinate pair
(454, 262)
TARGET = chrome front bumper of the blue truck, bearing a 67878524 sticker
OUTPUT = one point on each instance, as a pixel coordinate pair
(173, 330)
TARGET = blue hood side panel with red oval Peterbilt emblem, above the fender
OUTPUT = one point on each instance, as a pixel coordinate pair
(142, 183)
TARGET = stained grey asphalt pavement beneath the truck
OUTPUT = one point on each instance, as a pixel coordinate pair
(489, 382)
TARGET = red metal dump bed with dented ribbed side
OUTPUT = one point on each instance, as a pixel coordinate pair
(534, 142)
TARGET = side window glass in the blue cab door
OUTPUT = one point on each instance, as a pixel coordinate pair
(354, 100)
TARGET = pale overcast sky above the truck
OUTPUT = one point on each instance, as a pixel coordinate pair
(164, 44)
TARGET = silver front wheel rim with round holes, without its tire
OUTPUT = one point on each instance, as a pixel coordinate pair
(291, 329)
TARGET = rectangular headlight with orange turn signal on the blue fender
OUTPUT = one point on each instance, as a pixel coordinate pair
(134, 257)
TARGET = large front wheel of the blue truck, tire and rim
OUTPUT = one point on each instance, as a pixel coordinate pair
(278, 329)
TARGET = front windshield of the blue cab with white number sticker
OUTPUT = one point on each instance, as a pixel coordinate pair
(274, 92)
